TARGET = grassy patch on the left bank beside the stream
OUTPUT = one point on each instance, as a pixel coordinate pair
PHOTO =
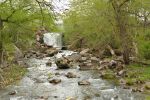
(12, 74)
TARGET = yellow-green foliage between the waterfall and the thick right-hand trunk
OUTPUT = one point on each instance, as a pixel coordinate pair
(87, 20)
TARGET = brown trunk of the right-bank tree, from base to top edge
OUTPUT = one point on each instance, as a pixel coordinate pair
(121, 20)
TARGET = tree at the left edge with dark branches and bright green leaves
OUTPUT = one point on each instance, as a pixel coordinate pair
(22, 15)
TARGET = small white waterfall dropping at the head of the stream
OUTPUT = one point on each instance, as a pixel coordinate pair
(53, 39)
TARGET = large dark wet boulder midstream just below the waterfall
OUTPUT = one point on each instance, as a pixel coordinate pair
(63, 63)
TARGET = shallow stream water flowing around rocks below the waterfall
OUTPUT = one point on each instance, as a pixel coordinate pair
(35, 85)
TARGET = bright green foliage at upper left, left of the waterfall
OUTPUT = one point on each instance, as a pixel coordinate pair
(22, 18)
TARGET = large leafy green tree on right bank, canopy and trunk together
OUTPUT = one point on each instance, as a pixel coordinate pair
(108, 22)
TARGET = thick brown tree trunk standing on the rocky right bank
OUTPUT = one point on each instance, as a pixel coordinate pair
(121, 20)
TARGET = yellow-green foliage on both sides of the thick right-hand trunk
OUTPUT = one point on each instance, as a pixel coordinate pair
(95, 20)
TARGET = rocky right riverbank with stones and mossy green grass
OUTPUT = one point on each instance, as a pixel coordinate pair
(135, 76)
